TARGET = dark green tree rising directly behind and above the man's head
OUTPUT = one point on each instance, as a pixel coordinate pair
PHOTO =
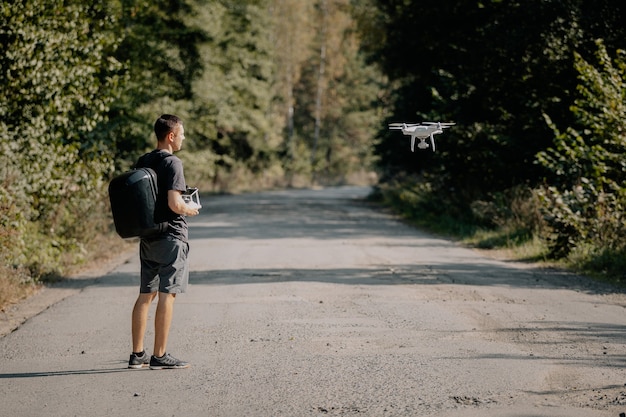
(159, 52)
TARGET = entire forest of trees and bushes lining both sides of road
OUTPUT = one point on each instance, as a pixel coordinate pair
(296, 93)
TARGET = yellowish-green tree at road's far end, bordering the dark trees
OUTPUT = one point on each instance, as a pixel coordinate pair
(337, 95)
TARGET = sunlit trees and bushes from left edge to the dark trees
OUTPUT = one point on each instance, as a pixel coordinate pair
(81, 84)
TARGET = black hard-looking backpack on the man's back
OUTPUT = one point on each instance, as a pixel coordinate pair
(133, 197)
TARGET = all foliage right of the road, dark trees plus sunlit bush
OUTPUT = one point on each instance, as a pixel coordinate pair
(496, 68)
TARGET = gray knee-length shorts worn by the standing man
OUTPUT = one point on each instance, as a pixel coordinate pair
(164, 266)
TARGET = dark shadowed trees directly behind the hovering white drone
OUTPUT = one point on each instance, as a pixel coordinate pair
(493, 68)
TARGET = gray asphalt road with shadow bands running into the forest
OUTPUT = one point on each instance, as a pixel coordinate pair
(314, 303)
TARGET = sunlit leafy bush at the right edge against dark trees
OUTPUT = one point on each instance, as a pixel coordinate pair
(586, 204)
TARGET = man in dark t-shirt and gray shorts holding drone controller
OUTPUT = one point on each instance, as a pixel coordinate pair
(164, 262)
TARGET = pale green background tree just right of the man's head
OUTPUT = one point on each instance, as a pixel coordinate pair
(233, 99)
